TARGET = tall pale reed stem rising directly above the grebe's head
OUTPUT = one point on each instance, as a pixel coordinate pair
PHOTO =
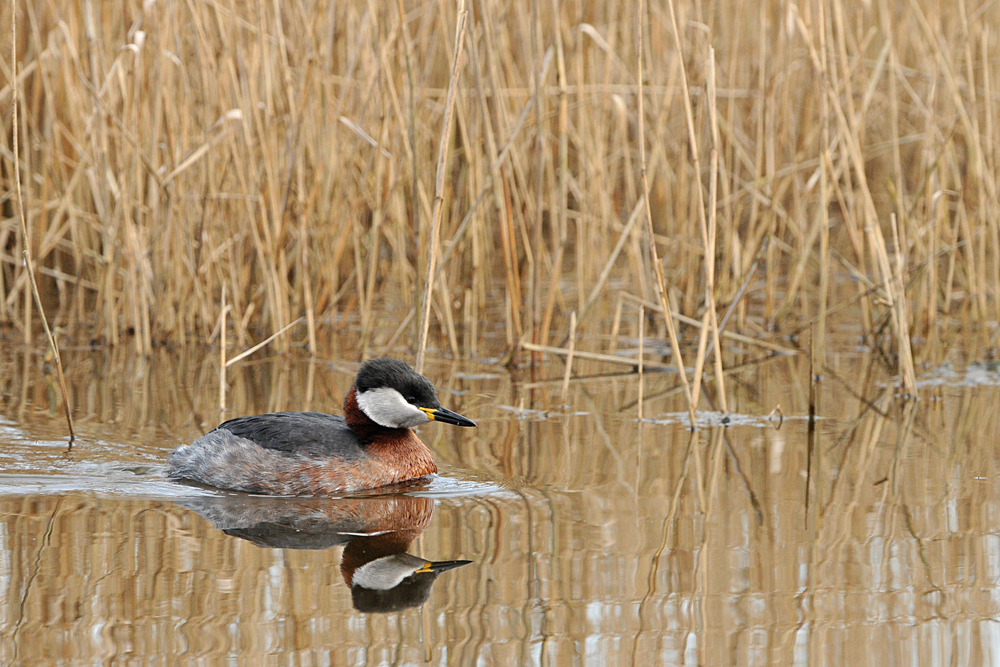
(439, 186)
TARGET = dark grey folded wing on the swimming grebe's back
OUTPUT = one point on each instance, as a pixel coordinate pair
(309, 433)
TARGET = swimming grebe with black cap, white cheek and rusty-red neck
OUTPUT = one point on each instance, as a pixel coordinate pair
(311, 453)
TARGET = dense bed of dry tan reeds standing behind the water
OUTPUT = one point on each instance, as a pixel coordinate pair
(796, 166)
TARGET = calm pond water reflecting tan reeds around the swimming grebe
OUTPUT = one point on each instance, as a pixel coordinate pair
(593, 538)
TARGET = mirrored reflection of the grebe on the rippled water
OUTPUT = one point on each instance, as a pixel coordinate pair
(375, 533)
